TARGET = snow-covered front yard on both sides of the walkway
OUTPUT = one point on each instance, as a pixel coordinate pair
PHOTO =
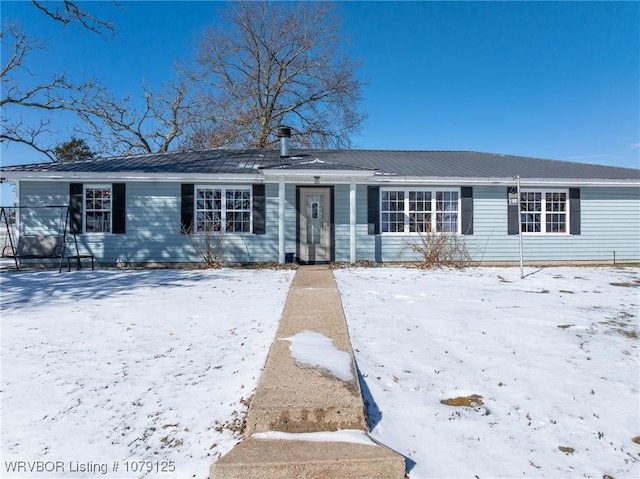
(146, 373)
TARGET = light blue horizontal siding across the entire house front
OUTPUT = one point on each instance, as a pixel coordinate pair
(610, 222)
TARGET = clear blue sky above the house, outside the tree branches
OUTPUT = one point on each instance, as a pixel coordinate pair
(556, 80)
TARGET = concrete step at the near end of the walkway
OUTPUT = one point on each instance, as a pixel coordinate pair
(287, 459)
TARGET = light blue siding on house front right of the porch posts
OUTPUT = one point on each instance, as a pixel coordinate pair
(610, 223)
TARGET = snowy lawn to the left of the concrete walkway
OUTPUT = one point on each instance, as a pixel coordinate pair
(102, 370)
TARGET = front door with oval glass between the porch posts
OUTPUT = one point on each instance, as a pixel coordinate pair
(315, 225)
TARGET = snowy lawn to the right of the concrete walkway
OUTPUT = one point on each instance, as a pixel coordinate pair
(548, 365)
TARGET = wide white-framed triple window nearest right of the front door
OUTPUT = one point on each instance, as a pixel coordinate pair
(417, 210)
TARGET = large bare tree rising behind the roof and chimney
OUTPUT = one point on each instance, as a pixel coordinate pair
(266, 64)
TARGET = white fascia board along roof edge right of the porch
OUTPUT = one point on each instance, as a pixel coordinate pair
(436, 180)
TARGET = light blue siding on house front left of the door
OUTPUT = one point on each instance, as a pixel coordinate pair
(153, 225)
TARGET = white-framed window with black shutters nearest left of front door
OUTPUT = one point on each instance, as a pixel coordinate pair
(223, 209)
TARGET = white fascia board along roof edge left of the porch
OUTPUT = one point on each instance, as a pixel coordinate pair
(132, 177)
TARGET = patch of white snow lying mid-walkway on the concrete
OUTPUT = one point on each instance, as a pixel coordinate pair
(310, 348)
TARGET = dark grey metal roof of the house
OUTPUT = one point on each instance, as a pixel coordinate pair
(430, 164)
